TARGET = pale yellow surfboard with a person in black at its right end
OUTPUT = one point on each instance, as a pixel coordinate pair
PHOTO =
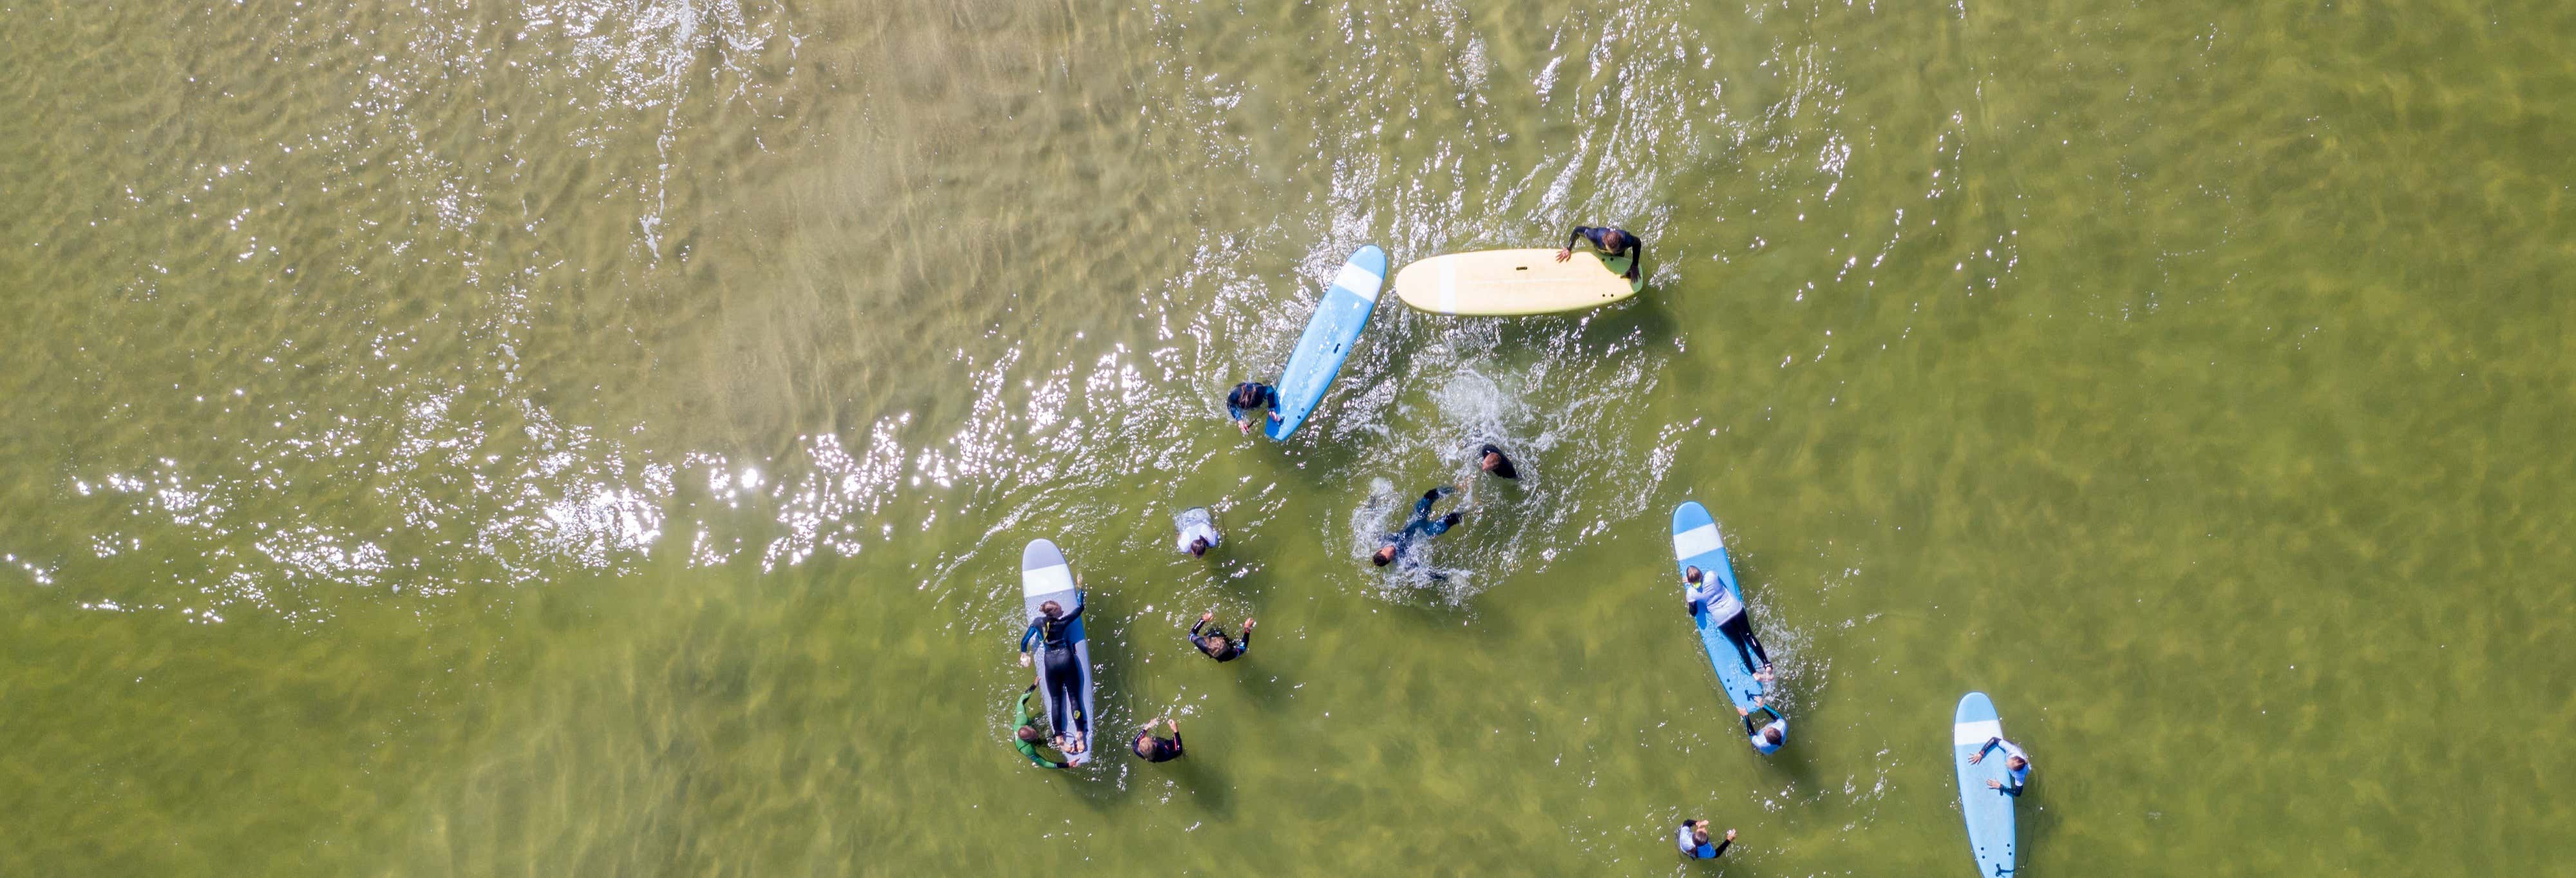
(1513, 282)
